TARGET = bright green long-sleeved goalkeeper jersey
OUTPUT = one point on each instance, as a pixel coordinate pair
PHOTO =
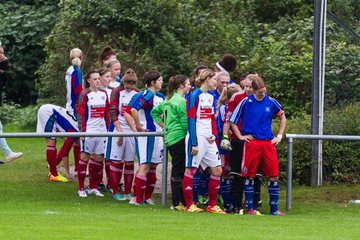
(174, 117)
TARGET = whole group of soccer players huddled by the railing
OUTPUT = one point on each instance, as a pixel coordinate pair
(218, 135)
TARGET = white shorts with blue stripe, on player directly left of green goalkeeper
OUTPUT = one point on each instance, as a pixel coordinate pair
(149, 150)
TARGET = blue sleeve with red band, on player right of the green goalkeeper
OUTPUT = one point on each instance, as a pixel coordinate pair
(192, 105)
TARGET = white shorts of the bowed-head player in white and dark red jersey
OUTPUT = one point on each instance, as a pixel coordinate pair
(114, 152)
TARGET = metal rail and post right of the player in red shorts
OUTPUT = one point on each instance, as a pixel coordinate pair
(290, 141)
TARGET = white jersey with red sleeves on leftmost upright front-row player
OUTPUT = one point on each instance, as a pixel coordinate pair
(93, 112)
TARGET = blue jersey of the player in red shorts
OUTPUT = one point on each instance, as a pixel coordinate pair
(256, 116)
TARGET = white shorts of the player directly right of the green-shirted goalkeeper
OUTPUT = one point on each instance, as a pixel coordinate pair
(208, 155)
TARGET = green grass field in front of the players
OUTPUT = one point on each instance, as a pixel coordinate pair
(31, 207)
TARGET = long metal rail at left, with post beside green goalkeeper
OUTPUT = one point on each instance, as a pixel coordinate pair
(104, 134)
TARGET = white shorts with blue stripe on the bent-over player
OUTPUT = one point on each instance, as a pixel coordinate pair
(52, 118)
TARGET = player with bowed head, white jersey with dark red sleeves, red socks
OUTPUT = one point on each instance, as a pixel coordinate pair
(121, 151)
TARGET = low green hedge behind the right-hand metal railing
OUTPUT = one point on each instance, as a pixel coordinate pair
(340, 158)
